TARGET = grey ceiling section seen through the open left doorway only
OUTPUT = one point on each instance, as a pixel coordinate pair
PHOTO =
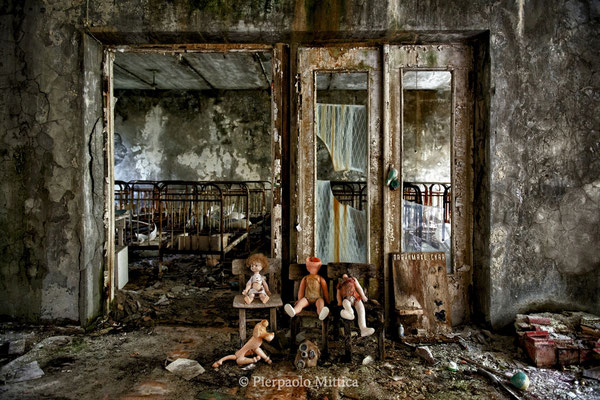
(192, 71)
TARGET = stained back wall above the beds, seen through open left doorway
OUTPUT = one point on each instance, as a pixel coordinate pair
(193, 135)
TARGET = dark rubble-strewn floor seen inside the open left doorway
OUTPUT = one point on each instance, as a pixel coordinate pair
(186, 291)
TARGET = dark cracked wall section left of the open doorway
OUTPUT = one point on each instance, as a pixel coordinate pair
(41, 149)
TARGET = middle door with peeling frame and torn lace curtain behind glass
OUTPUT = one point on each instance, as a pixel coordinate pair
(338, 137)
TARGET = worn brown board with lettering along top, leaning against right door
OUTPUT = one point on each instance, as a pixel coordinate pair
(421, 289)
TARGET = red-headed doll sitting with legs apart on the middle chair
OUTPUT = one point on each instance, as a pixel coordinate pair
(313, 290)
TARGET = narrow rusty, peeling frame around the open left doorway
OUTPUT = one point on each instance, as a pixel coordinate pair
(279, 131)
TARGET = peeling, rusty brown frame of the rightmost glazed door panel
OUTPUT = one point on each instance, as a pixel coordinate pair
(458, 59)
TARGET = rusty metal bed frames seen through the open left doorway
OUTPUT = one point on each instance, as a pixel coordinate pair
(193, 217)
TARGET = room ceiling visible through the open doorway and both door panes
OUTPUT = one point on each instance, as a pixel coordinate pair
(237, 71)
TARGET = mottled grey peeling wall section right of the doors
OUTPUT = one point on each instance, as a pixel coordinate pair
(545, 161)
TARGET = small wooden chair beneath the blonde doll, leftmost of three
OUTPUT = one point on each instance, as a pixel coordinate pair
(239, 268)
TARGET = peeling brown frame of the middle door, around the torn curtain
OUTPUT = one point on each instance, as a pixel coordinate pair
(311, 60)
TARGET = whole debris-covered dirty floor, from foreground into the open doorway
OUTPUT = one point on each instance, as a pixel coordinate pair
(176, 315)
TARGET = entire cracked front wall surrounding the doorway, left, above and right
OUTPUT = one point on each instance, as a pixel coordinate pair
(536, 145)
